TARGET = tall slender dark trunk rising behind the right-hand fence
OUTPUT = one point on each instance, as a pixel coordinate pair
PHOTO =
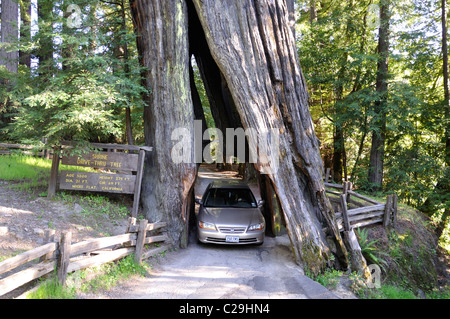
(379, 131)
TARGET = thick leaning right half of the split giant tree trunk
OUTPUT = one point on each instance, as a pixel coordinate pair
(252, 45)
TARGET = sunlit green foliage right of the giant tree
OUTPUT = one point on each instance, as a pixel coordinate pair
(337, 49)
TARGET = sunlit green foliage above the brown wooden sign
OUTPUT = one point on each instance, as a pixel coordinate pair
(82, 84)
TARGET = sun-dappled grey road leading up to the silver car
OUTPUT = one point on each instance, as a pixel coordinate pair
(217, 271)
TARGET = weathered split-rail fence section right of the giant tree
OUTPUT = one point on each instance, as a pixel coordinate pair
(354, 210)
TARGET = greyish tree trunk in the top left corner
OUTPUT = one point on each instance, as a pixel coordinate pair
(10, 33)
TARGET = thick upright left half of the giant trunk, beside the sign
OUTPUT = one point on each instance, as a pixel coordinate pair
(161, 26)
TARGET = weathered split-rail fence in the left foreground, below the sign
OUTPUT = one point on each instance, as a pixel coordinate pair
(67, 257)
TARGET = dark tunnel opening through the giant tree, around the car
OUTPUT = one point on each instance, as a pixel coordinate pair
(215, 108)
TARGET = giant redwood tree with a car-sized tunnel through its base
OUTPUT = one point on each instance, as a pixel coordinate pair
(246, 55)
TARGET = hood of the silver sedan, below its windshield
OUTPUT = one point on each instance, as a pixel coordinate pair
(231, 216)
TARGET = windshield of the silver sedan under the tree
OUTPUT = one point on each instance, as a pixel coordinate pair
(230, 197)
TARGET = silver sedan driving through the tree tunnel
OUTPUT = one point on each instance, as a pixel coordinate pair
(229, 214)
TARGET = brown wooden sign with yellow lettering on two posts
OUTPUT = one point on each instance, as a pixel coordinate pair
(120, 182)
